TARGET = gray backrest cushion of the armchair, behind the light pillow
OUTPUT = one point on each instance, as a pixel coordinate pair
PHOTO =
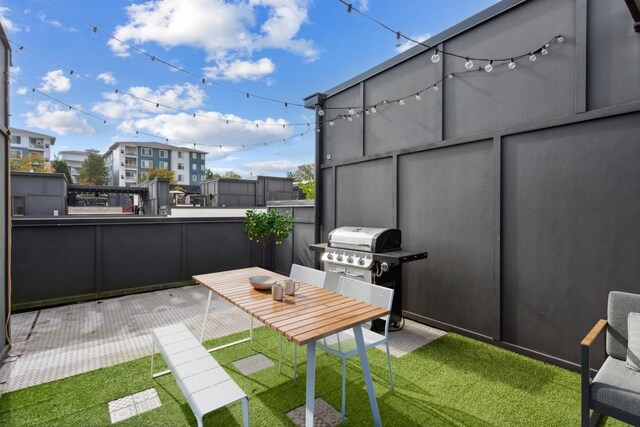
(618, 309)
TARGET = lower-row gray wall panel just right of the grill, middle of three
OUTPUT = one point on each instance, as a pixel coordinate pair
(446, 208)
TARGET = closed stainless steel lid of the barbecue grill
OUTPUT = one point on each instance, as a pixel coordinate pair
(366, 239)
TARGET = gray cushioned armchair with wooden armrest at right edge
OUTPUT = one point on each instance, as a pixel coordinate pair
(615, 390)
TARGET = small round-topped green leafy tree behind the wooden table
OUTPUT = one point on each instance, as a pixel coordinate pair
(266, 227)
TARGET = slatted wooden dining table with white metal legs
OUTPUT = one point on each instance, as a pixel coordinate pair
(312, 314)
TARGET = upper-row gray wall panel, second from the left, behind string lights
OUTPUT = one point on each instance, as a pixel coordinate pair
(396, 127)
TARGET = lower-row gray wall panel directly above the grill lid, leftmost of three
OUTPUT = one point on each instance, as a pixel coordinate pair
(364, 194)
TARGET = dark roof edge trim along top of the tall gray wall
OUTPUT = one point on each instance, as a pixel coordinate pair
(469, 23)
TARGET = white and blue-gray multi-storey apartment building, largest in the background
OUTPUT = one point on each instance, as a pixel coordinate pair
(126, 161)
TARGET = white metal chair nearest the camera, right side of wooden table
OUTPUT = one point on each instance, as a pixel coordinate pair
(343, 344)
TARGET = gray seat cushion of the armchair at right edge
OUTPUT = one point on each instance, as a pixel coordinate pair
(617, 386)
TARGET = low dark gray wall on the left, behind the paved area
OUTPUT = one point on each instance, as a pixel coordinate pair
(88, 258)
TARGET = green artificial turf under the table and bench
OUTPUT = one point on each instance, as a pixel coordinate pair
(452, 381)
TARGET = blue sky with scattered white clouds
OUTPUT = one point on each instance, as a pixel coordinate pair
(282, 49)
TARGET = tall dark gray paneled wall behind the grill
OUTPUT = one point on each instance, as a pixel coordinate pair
(521, 184)
